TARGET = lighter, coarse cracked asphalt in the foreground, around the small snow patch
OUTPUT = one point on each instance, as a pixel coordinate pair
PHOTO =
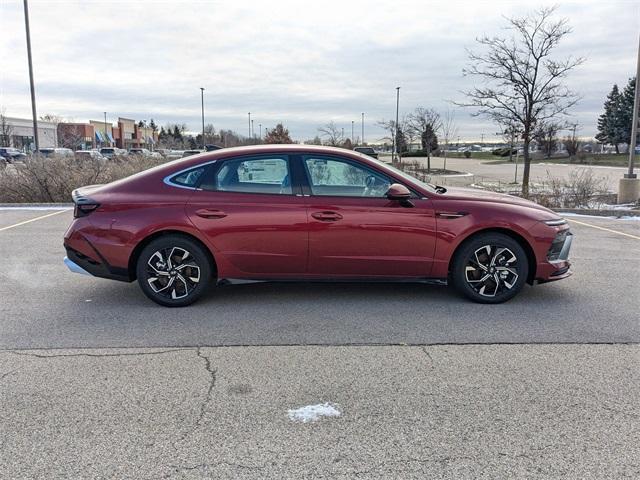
(554, 411)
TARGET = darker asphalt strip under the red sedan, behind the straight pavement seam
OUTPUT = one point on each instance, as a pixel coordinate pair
(43, 305)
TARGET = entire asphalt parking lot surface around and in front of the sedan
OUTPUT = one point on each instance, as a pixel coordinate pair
(98, 382)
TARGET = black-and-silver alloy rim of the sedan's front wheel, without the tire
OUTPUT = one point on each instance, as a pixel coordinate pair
(492, 270)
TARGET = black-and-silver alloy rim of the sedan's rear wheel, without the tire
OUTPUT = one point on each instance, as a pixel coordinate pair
(172, 273)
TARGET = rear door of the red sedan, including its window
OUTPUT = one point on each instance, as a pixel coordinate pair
(249, 210)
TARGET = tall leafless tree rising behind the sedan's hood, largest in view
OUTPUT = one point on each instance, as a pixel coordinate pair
(523, 84)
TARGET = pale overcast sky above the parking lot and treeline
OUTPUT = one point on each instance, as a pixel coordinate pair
(302, 63)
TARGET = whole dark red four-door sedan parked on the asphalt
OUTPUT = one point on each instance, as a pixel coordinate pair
(298, 212)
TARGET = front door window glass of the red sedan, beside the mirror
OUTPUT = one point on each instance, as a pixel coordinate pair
(342, 178)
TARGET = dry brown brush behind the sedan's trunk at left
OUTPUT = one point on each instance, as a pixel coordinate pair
(52, 179)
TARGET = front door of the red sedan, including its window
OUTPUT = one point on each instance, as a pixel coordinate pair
(355, 231)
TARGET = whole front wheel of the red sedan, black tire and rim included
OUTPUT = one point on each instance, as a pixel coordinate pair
(490, 268)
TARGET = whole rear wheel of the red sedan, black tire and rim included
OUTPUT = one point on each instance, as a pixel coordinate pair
(174, 271)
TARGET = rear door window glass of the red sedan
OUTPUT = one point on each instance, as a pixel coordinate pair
(255, 175)
